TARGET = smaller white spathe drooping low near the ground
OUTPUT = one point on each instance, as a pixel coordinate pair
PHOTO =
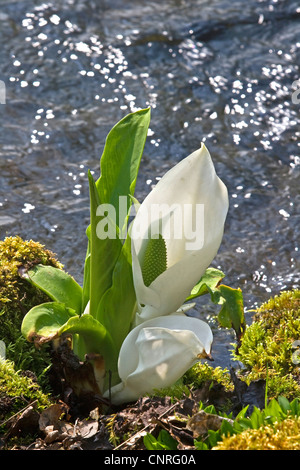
(157, 353)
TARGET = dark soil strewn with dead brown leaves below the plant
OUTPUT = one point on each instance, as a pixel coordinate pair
(88, 422)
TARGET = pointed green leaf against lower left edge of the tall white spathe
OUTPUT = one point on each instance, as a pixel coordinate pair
(117, 305)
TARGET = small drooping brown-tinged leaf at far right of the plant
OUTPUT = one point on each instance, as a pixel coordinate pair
(231, 314)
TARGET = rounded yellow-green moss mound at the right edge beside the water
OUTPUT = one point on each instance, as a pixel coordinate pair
(267, 346)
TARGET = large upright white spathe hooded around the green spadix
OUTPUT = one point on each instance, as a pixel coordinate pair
(189, 187)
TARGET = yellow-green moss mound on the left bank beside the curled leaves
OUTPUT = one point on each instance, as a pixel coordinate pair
(18, 296)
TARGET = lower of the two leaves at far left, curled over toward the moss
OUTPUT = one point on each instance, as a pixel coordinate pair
(43, 321)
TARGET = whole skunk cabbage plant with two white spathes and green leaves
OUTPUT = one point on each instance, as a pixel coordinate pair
(139, 278)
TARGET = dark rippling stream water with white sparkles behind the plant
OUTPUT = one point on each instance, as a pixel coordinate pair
(218, 71)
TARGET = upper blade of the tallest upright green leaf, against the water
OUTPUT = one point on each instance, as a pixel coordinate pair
(121, 159)
